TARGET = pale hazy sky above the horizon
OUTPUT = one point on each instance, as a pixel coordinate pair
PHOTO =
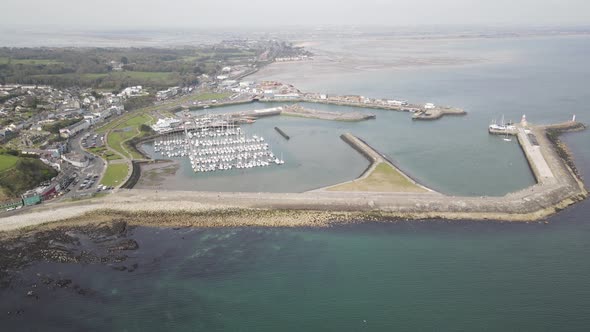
(204, 13)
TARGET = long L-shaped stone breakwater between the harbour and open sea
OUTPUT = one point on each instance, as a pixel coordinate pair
(319, 208)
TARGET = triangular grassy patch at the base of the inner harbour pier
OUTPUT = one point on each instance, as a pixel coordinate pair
(383, 178)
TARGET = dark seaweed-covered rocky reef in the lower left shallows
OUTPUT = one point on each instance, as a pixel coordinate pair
(106, 243)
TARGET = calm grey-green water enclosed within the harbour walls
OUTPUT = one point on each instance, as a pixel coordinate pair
(316, 156)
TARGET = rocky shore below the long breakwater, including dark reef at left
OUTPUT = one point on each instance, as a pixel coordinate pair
(105, 237)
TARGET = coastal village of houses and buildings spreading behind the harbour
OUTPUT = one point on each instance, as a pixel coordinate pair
(51, 125)
